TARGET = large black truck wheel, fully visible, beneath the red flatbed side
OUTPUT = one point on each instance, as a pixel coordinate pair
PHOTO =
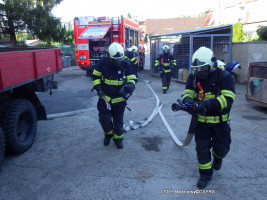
(19, 125)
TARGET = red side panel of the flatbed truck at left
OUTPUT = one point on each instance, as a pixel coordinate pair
(21, 67)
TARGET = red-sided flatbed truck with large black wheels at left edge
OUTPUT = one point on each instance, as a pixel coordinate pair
(23, 72)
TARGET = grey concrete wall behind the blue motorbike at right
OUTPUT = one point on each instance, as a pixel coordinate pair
(248, 52)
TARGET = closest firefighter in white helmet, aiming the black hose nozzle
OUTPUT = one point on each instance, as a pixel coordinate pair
(213, 89)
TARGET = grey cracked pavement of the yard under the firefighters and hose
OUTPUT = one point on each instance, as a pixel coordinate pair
(69, 161)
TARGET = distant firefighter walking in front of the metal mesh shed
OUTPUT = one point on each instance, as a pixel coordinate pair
(164, 65)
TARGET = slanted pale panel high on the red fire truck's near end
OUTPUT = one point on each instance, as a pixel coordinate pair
(95, 32)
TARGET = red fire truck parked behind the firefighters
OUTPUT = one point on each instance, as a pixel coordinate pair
(93, 36)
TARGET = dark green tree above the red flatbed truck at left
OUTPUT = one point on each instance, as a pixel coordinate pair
(32, 16)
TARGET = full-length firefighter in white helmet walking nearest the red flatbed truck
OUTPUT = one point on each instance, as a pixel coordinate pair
(114, 80)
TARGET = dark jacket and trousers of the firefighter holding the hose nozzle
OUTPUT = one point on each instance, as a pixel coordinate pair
(213, 131)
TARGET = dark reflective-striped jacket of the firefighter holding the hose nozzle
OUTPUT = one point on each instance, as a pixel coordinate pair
(218, 89)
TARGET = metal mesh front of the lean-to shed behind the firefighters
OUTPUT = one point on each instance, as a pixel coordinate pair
(183, 46)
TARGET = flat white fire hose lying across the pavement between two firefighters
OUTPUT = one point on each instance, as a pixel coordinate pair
(135, 124)
